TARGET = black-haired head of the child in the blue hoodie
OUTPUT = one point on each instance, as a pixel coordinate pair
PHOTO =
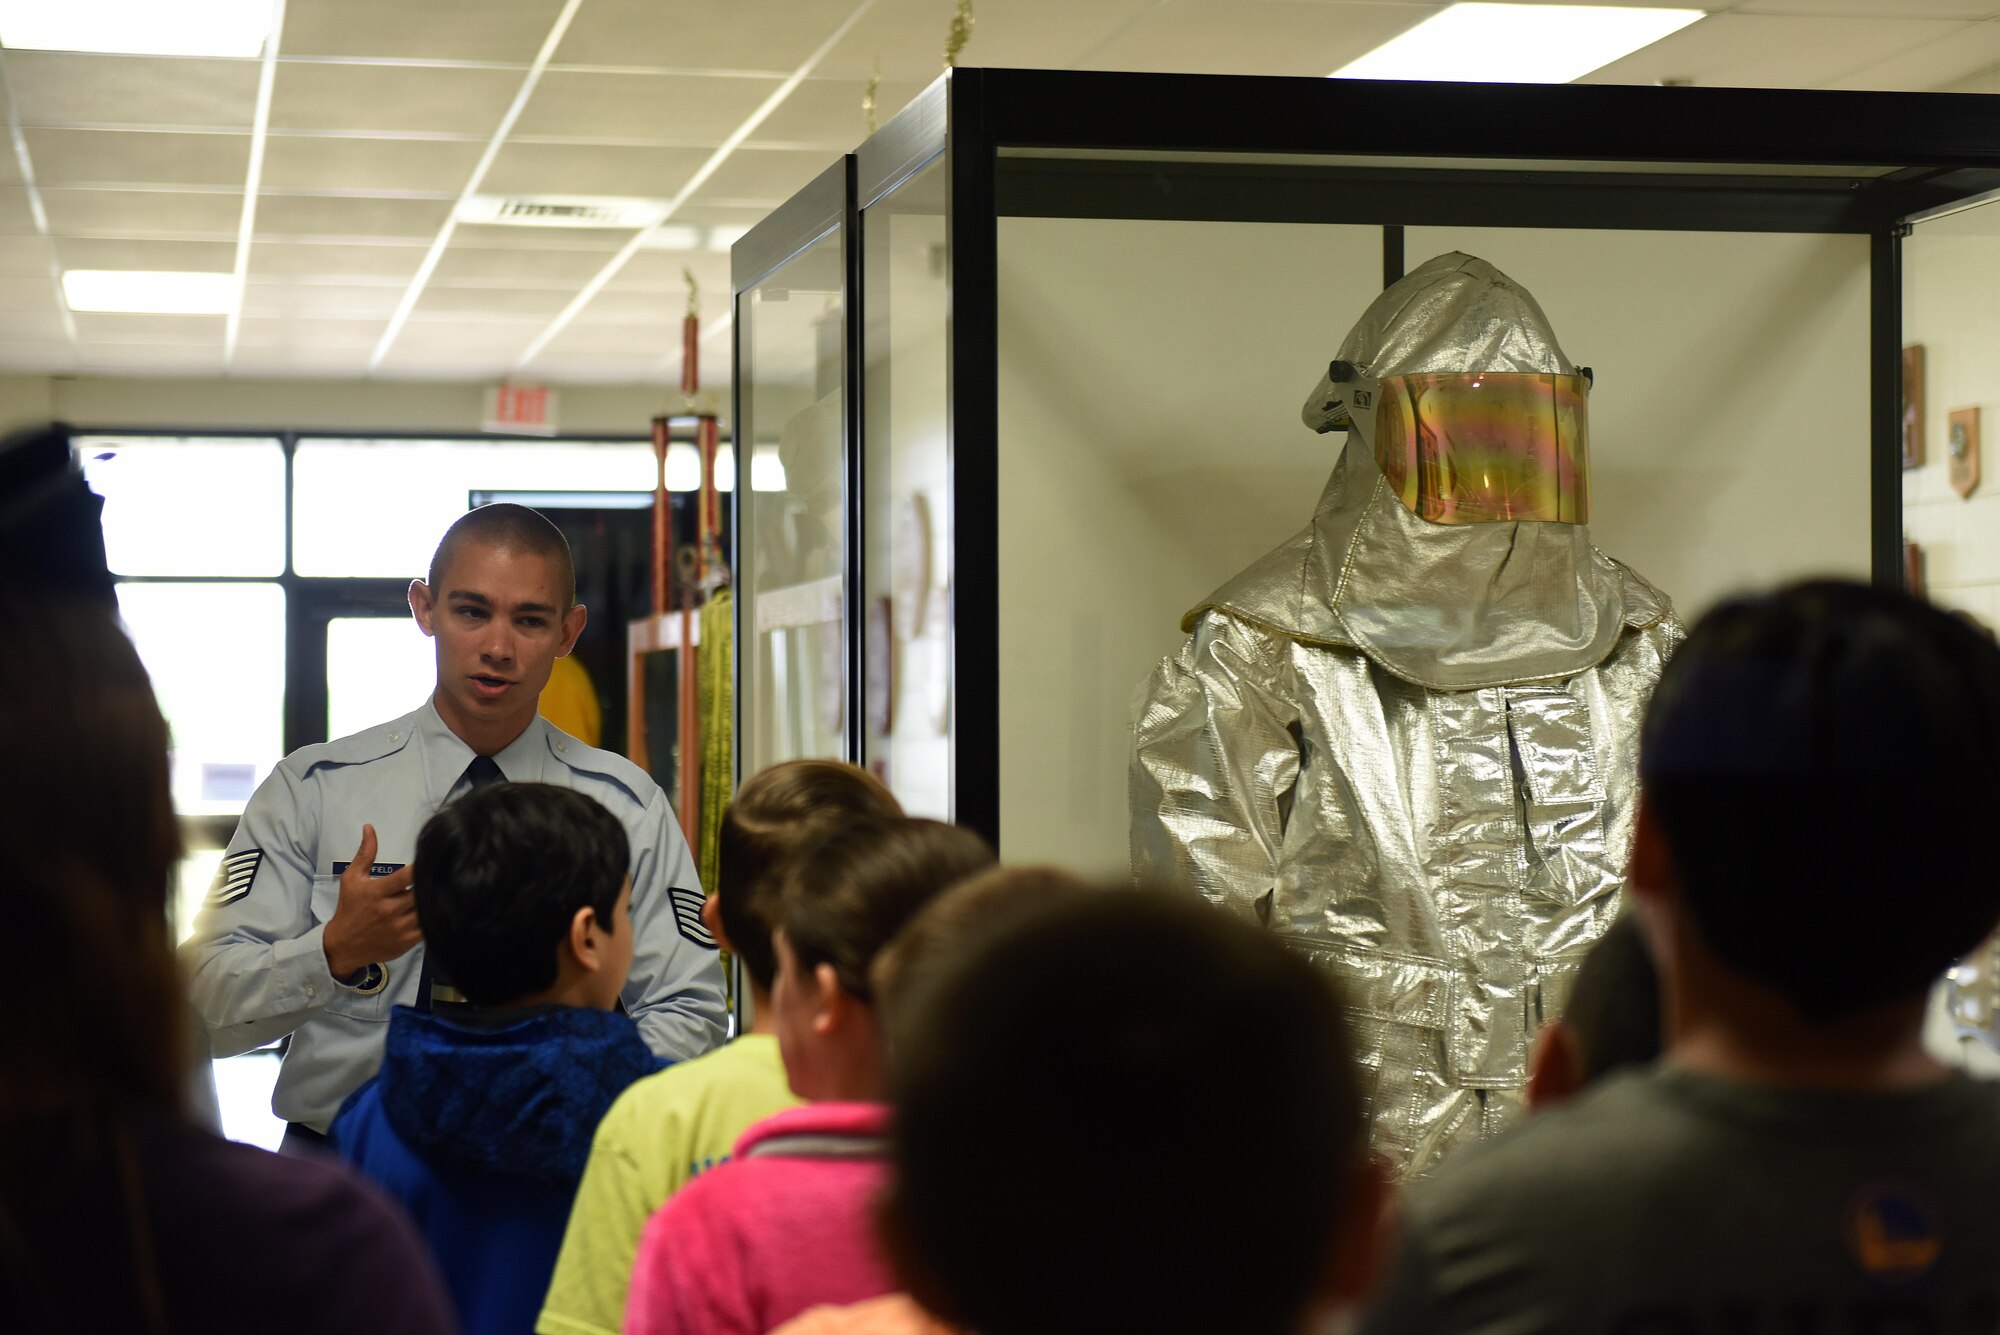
(525, 898)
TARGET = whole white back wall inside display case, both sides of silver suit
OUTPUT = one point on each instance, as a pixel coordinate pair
(1151, 381)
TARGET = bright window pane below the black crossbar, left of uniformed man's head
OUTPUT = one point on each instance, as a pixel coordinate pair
(217, 663)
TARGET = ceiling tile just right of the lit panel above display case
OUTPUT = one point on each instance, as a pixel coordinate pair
(1755, 51)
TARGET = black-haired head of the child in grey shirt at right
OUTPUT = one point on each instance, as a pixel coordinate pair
(1821, 762)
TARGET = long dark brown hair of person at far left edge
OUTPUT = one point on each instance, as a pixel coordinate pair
(91, 846)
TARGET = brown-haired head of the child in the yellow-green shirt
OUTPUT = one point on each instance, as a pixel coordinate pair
(773, 814)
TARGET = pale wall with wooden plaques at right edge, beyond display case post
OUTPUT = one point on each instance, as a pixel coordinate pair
(1953, 309)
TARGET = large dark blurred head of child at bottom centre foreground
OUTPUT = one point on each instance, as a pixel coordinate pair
(1123, 1114)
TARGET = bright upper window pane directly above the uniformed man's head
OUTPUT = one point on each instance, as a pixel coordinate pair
(379, 507)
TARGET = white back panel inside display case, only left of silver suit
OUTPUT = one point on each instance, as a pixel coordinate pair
(1151, 381)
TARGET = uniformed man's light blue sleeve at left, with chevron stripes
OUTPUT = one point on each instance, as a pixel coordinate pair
(257, 968)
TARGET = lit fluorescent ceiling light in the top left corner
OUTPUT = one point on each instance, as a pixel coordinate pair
(139, 27)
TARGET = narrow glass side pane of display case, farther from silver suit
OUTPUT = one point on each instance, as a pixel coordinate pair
(793, 547)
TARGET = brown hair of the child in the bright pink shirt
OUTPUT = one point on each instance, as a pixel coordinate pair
(851, 892)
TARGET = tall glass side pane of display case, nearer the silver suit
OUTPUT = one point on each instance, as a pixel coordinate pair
(907, 475)
